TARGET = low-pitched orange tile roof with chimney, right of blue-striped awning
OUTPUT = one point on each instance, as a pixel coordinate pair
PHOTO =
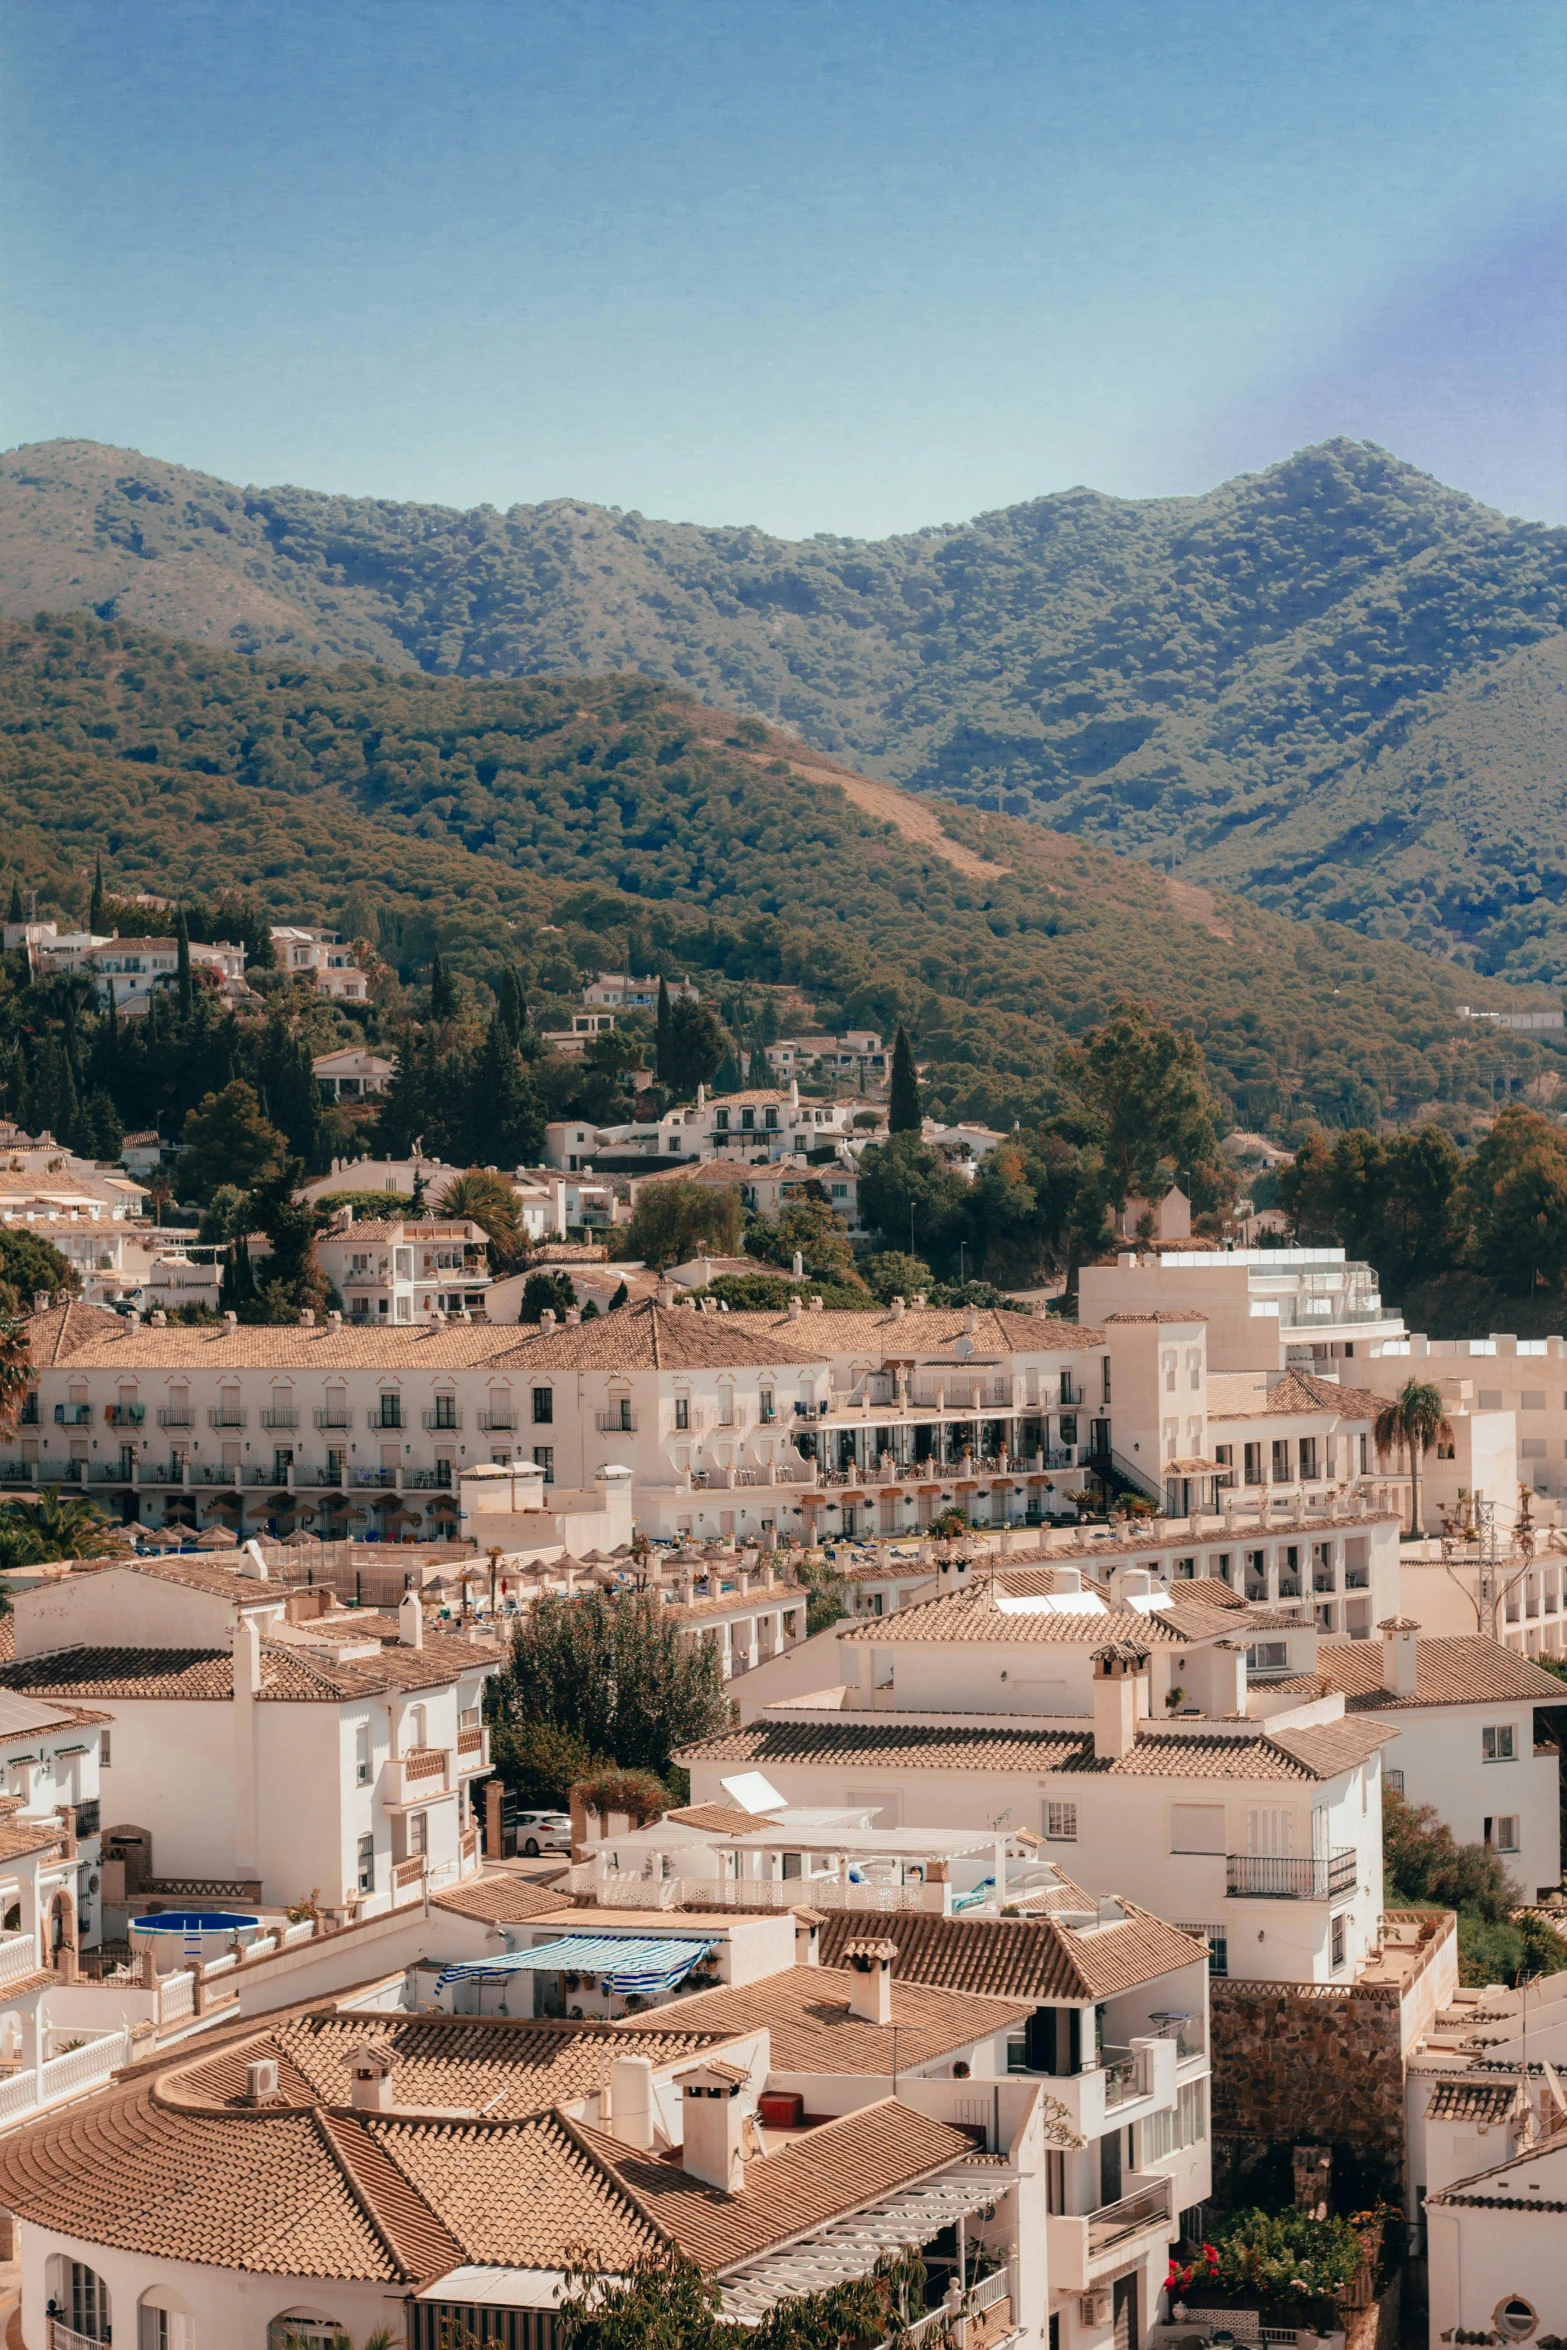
(812, 2029)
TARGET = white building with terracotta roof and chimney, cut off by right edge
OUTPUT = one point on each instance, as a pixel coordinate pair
(1470, 1740)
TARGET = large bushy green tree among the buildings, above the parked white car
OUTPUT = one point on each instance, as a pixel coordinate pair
(614, 1672)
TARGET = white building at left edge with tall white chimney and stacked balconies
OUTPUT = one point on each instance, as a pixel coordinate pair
(260, 1740)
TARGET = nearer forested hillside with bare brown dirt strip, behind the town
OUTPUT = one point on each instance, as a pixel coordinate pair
(542, 824)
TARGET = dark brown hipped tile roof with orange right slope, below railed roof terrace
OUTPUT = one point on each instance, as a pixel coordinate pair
(1037, 1961)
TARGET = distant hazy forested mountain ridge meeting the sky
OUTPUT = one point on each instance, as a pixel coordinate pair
(1338, 687)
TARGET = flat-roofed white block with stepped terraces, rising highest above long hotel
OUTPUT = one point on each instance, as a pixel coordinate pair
(1265, 1308)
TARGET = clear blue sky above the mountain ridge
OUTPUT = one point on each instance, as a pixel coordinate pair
(800, 264)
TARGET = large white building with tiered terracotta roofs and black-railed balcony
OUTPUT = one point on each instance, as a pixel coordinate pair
(1131, 1740)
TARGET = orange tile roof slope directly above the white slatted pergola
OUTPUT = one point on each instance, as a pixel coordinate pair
(838, 2168)
